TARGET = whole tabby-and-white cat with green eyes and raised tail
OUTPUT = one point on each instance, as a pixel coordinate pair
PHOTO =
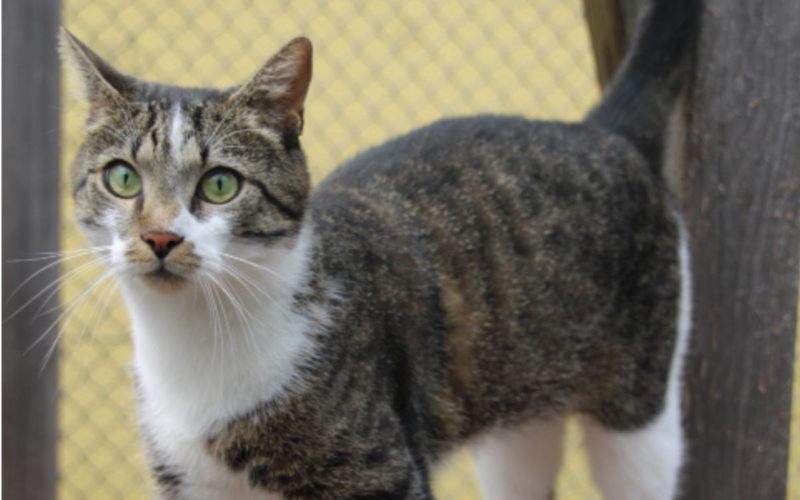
(474, 281)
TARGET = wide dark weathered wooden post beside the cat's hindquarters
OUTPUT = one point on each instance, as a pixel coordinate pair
(742, 203)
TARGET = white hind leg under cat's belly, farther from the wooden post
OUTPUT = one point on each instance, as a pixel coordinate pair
(520, 463)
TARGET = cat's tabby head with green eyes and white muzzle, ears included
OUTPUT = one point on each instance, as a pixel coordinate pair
(174, 179)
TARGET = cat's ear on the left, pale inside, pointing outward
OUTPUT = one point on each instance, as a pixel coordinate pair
(102, 86)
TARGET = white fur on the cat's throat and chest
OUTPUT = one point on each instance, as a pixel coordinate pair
(200, 365)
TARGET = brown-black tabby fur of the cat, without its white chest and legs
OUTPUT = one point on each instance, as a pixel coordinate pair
(476, 274)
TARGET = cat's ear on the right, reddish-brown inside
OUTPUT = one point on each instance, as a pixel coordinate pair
(279, 88)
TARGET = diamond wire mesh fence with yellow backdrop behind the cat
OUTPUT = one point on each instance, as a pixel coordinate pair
(381, 68)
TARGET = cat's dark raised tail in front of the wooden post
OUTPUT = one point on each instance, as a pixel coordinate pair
(639, 99)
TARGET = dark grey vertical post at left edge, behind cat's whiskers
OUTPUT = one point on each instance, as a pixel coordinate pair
(30, 224)
